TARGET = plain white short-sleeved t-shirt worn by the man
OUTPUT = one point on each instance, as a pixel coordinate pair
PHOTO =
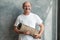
(31, 20)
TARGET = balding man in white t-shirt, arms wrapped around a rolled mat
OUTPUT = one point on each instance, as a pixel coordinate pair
(30, 19)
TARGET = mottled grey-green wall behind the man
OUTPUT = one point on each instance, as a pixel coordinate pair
(10, 9)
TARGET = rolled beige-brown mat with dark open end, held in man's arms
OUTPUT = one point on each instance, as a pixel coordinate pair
(24, 28)
